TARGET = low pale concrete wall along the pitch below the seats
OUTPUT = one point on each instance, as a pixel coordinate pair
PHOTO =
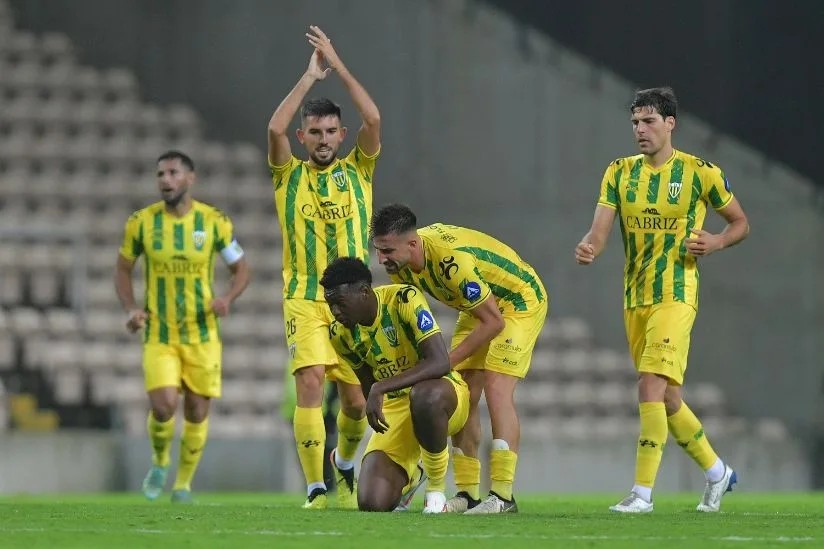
(97, 462)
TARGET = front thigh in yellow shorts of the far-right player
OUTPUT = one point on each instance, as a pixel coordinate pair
(667, 341)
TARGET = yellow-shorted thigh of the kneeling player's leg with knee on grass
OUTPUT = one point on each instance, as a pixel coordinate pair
(399, 441)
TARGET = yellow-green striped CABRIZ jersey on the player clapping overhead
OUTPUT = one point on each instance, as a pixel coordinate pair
(323, 214)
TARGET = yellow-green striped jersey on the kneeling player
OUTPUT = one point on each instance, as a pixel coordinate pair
(391, 344)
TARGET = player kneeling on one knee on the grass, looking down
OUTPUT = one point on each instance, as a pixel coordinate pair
(389, 337)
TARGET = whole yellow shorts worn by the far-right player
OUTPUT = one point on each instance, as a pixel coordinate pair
(659, 338)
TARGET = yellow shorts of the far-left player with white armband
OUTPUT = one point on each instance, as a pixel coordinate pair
(197, 365)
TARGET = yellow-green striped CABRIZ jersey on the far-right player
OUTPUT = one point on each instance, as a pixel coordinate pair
(658, 208)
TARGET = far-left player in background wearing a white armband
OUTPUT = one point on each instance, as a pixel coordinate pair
(178, 238)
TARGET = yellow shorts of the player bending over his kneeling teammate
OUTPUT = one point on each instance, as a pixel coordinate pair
(510, 352)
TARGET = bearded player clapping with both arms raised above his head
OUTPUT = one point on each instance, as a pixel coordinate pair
(323, 207)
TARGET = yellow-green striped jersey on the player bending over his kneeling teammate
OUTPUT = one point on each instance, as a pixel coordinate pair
(463, 266)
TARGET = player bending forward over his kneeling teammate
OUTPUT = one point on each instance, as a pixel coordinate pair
(503, 306)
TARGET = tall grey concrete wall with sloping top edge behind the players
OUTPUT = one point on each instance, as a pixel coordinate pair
(482, 115)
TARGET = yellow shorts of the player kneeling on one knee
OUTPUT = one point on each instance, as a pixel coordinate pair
(399, 441)
